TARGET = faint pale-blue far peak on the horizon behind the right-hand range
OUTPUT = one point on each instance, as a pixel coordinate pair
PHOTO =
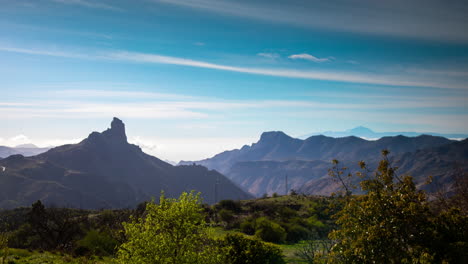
(367, 133)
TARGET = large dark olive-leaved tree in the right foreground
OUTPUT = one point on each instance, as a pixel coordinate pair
(392, 223)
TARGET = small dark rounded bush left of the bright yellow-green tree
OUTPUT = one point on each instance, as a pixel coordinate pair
(97, 243)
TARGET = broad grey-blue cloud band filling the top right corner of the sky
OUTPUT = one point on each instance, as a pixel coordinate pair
(434, 20)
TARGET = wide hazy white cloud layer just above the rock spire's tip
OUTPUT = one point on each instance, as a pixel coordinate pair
(74, 107)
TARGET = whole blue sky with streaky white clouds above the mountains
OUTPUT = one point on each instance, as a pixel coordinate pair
(191, 78)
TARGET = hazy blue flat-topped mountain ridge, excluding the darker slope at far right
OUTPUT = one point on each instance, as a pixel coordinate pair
(262, 167)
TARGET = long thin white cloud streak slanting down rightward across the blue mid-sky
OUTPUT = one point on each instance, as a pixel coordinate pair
(349, 77)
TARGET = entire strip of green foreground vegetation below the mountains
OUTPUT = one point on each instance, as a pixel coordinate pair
(392, 222)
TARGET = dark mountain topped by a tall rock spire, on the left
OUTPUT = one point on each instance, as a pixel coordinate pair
(104, 171)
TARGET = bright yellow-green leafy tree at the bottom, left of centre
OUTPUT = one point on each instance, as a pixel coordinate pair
(173, 231)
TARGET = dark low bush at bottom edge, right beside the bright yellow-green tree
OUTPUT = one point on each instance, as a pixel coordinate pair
(238, 249)
